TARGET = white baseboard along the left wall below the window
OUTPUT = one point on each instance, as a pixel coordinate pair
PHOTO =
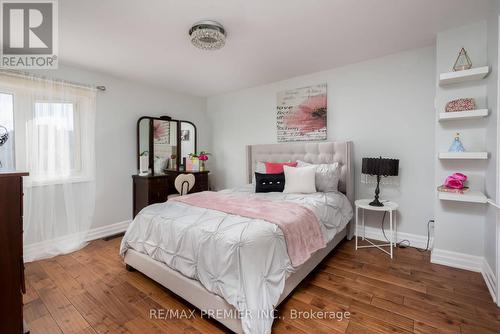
(32, 251)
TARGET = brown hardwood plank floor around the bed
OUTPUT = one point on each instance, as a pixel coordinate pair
(90, 291)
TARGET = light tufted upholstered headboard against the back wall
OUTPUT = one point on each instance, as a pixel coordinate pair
(322, 152)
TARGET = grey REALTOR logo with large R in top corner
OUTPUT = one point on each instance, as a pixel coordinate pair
(29, 34)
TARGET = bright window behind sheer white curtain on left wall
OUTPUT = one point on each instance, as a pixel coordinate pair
(53, 125)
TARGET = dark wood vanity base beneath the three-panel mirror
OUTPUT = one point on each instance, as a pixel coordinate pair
(150, 189)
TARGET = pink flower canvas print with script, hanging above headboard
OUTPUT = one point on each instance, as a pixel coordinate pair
(302, 113)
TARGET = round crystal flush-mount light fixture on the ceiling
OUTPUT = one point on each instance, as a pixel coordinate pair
(208, 35)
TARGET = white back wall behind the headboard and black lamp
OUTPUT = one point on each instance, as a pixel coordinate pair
(385, 106)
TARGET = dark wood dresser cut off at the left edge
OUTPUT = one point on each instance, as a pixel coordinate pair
(11, 252)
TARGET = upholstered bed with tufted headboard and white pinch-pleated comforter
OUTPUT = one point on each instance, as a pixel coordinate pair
(214, 283)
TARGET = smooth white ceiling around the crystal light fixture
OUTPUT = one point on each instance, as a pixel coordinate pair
(268, 40)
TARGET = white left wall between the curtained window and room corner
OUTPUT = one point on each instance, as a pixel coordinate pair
(117, 112)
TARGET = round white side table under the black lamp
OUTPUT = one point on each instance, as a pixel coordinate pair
(389, 207)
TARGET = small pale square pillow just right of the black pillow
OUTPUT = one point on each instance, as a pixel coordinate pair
(300, 180)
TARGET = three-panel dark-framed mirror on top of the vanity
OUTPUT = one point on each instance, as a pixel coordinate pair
(162, 143)
